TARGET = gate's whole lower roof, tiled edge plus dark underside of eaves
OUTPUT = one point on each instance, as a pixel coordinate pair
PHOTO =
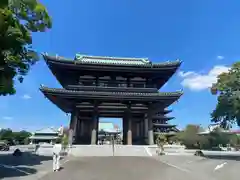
(64, 98)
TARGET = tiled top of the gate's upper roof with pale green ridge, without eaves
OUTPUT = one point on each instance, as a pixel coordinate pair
(136, 62)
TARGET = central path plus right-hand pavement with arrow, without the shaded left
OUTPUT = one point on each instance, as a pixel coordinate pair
(146, 168)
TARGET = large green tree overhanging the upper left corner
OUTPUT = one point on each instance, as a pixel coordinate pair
(18, 19)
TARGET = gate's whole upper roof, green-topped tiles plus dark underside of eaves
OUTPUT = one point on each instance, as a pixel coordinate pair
(159, 73)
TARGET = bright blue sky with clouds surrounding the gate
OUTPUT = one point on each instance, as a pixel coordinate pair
(204, 34)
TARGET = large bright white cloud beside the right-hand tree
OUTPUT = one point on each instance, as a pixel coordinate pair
(197, 81)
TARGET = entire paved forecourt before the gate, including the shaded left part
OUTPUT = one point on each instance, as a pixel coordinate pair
(106, 168)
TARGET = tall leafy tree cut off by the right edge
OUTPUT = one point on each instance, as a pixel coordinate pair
(227, 89)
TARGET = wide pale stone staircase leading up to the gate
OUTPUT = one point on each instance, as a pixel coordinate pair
(107, 150)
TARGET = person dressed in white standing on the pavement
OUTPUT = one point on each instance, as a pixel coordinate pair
(57, 148)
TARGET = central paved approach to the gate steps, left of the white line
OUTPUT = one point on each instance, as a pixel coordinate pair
(117, 168)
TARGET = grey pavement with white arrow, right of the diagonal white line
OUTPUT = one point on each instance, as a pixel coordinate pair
(204, 168)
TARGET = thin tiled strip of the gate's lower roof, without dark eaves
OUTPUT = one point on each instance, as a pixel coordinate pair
(61, 90)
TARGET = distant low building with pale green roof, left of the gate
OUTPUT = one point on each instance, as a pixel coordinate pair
(47, 135)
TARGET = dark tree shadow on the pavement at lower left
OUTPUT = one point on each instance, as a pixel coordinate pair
(12, 166)
